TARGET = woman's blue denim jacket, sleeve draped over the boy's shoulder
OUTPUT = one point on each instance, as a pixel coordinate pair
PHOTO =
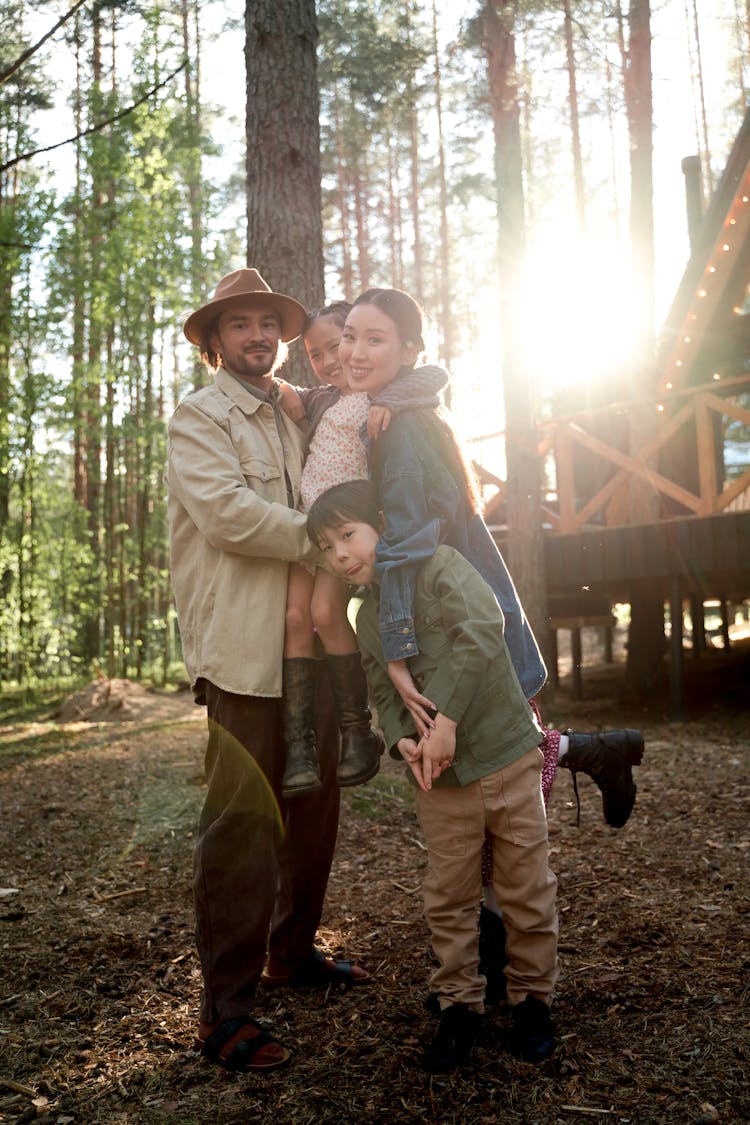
(423, 507)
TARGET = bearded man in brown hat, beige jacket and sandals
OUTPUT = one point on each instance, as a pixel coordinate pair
(260, 869)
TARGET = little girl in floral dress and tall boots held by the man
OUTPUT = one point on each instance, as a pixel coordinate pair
(317, 601)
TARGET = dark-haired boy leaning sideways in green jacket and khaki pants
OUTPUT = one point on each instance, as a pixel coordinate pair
(480, 768)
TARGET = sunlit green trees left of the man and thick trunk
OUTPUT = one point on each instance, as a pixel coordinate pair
(83, 435)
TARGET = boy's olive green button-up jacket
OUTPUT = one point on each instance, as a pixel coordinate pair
(464, 668)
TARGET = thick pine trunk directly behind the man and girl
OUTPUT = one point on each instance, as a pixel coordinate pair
(285, 230)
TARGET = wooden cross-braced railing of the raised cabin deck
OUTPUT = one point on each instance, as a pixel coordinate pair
(681, 462)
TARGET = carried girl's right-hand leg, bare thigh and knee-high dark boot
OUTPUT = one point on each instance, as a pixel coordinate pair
(362, 746)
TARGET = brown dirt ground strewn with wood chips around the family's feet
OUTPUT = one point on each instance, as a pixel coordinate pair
(101, 984)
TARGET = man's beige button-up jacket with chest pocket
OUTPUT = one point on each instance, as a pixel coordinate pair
(232, 534)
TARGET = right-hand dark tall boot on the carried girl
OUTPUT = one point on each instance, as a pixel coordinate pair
(362, 746)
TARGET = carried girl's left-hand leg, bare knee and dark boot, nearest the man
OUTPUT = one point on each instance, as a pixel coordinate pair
(302, 770)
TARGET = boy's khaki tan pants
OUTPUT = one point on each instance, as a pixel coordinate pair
(509, 803)
